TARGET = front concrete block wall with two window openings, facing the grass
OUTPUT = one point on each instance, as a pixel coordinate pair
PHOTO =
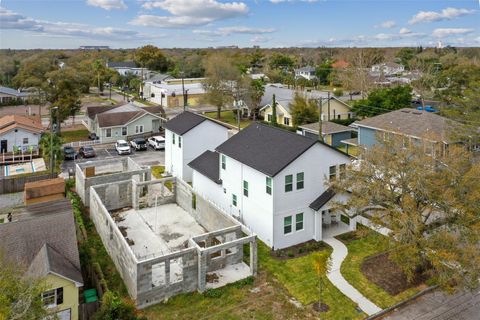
(166, 276)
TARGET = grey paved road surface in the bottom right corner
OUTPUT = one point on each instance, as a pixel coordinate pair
(437, 305)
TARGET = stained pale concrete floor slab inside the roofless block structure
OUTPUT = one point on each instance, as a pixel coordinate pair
(159, 231)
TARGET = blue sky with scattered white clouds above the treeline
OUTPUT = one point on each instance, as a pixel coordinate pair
(211, 23)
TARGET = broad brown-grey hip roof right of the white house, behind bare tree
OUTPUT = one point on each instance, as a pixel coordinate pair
(411, 122)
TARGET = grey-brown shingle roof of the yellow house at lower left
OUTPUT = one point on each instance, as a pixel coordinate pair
(44, 240)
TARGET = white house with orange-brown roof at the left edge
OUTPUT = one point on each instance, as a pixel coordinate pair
(19, 133)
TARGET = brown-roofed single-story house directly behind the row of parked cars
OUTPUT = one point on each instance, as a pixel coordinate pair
(122, 122)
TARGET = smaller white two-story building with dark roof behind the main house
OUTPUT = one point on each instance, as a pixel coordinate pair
(186, 137)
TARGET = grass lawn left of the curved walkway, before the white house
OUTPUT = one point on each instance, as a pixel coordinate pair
(301, 281)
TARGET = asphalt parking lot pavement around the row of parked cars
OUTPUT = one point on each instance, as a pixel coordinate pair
(149, 157)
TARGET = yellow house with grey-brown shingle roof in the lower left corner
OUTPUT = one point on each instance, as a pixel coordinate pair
(42, 241)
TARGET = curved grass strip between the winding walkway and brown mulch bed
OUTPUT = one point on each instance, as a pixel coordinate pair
(359, 249)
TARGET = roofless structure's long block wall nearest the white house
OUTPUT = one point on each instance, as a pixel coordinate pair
(204, 212)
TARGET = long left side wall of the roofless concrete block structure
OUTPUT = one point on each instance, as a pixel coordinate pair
(114, 242)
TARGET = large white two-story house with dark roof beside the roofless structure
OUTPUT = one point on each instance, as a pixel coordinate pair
(274, 181)
